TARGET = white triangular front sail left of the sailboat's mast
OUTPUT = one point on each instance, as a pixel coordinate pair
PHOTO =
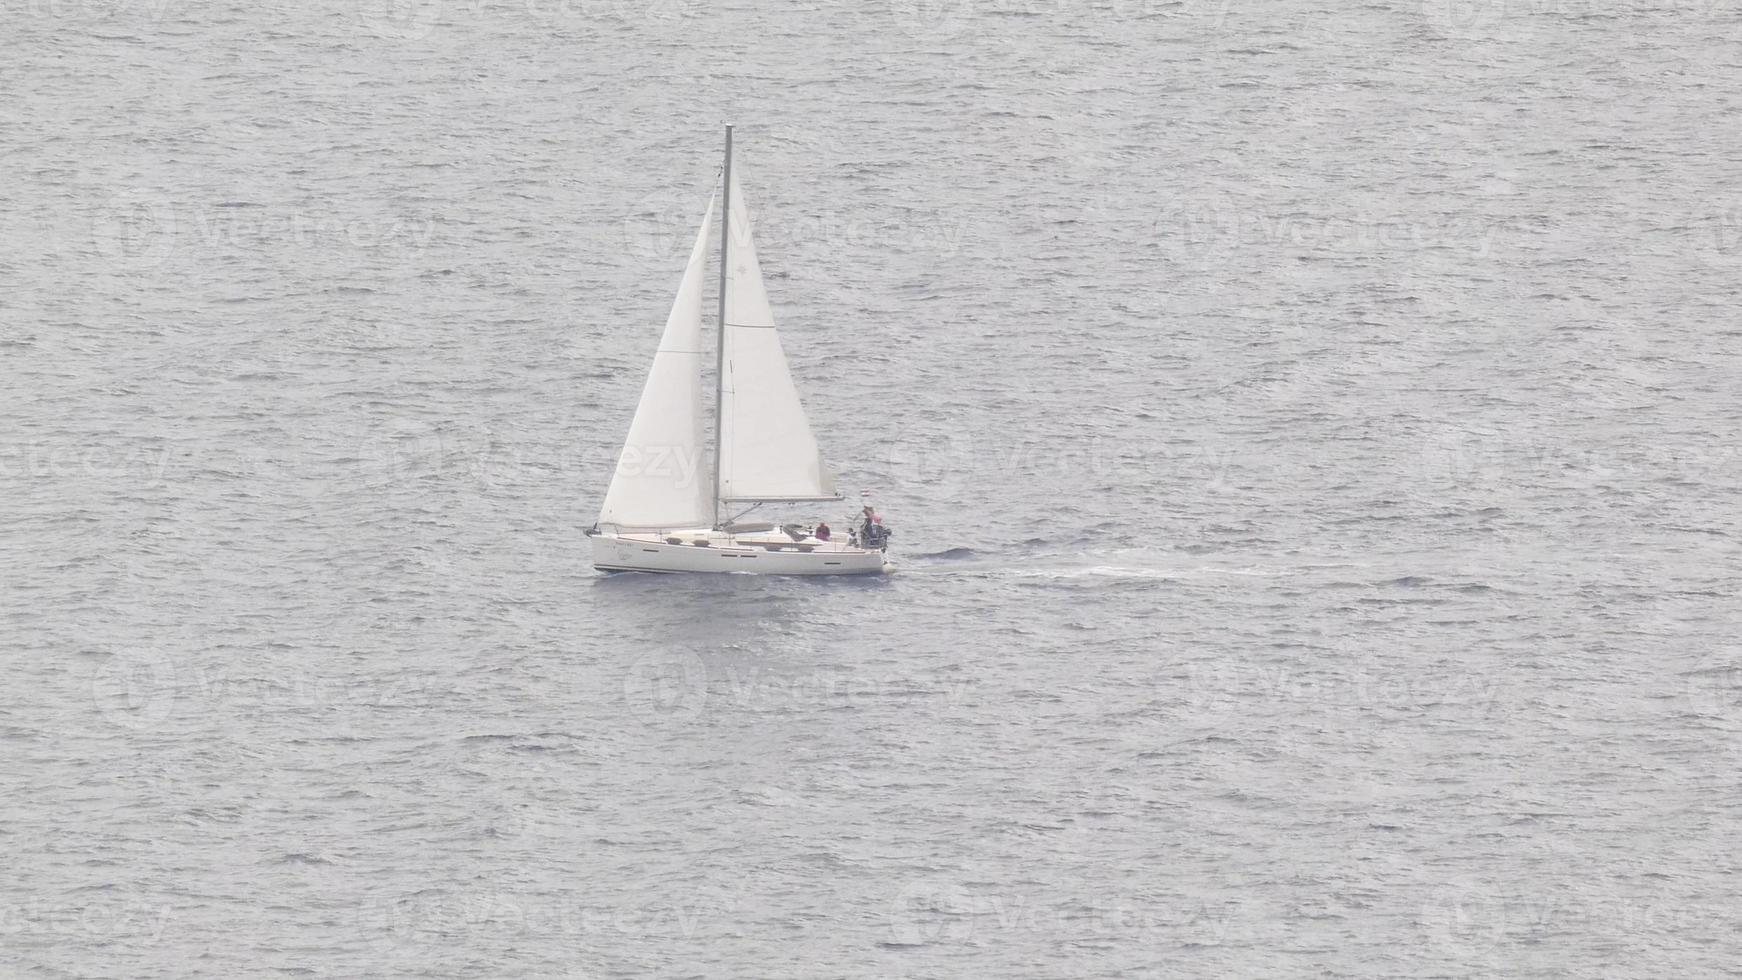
(663, 478)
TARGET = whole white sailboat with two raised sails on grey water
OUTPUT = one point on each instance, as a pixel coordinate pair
(665, 511)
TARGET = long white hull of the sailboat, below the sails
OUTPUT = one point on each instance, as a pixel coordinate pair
(733, 554)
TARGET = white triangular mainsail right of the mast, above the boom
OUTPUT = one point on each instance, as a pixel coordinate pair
(767, 450)
